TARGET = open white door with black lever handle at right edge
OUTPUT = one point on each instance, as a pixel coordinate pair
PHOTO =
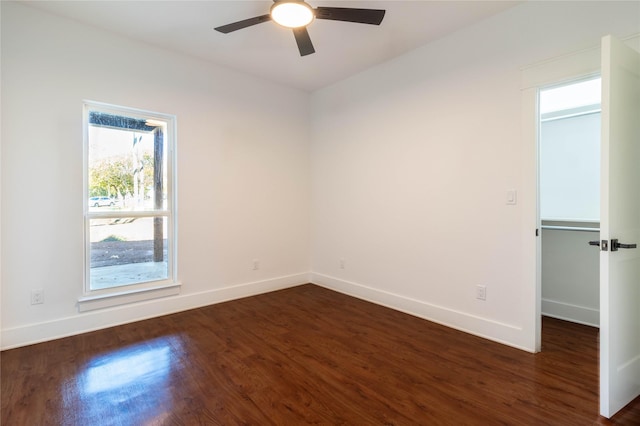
(620, 220)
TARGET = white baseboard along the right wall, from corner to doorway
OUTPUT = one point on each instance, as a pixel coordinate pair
(483, 327)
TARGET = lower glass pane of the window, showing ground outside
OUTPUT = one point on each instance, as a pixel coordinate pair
(127, 251)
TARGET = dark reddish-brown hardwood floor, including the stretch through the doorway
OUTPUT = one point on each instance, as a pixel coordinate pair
(304, 355)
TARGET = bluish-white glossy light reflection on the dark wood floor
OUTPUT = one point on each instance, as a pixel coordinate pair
(134, 381)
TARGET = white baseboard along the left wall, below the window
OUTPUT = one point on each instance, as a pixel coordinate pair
(105, 318)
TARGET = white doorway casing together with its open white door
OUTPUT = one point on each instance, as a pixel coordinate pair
(619, 65)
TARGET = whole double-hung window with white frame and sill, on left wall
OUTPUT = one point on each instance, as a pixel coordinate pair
(129, 204)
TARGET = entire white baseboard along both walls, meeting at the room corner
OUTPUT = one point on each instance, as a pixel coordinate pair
(95, 320)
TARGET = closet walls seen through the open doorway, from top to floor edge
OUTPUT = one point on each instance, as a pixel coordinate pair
(569, 206)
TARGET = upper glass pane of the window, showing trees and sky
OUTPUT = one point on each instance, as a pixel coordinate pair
(127, 166)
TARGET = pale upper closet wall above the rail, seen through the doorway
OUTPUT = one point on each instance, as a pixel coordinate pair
(570, 152)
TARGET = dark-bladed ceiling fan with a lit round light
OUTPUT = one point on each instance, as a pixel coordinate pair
(297, 14)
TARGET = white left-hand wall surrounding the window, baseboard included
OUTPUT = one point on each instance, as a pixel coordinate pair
(243, 172)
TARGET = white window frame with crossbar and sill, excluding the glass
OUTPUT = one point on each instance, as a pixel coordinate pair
(108, 297)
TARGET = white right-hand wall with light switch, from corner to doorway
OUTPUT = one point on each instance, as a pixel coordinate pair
(412, 160)
